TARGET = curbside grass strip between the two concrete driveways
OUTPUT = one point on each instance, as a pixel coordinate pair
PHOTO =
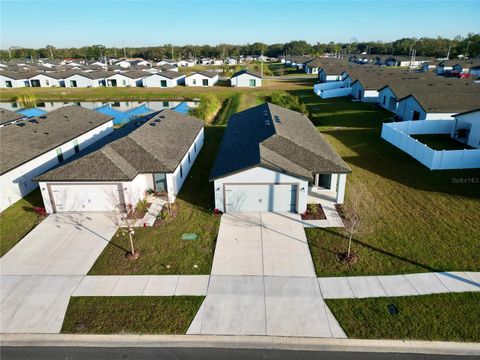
(130, 314)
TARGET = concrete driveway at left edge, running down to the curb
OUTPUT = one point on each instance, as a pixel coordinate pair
(41, 272)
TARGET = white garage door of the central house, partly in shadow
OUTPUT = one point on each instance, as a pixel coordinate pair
(247, 197)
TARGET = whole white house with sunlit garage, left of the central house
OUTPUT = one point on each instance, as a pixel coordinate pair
(158, 155)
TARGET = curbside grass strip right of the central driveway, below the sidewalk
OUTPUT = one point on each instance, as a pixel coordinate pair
(444, 317)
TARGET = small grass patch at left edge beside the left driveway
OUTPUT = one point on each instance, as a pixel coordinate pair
(17, 220)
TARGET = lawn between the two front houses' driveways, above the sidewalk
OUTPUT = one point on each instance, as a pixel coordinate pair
(162, 250)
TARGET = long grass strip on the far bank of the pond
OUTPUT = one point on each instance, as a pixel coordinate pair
(145, 94)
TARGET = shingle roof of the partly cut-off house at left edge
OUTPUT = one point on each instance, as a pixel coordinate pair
(44, 133)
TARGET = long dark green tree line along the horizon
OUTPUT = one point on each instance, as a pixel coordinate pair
(436, 47)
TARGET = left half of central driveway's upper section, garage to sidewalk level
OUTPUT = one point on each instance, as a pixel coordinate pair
(238, 250)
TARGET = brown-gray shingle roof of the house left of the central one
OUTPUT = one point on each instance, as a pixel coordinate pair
(158, 146)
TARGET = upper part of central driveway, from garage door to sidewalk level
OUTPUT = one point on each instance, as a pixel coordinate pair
(270, 244)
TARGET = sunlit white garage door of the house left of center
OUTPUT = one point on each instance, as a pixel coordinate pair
(94, 197)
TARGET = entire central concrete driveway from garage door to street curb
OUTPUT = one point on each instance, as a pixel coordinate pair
(263, 281)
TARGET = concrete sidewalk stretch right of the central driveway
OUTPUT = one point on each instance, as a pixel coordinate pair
(398, 285)
